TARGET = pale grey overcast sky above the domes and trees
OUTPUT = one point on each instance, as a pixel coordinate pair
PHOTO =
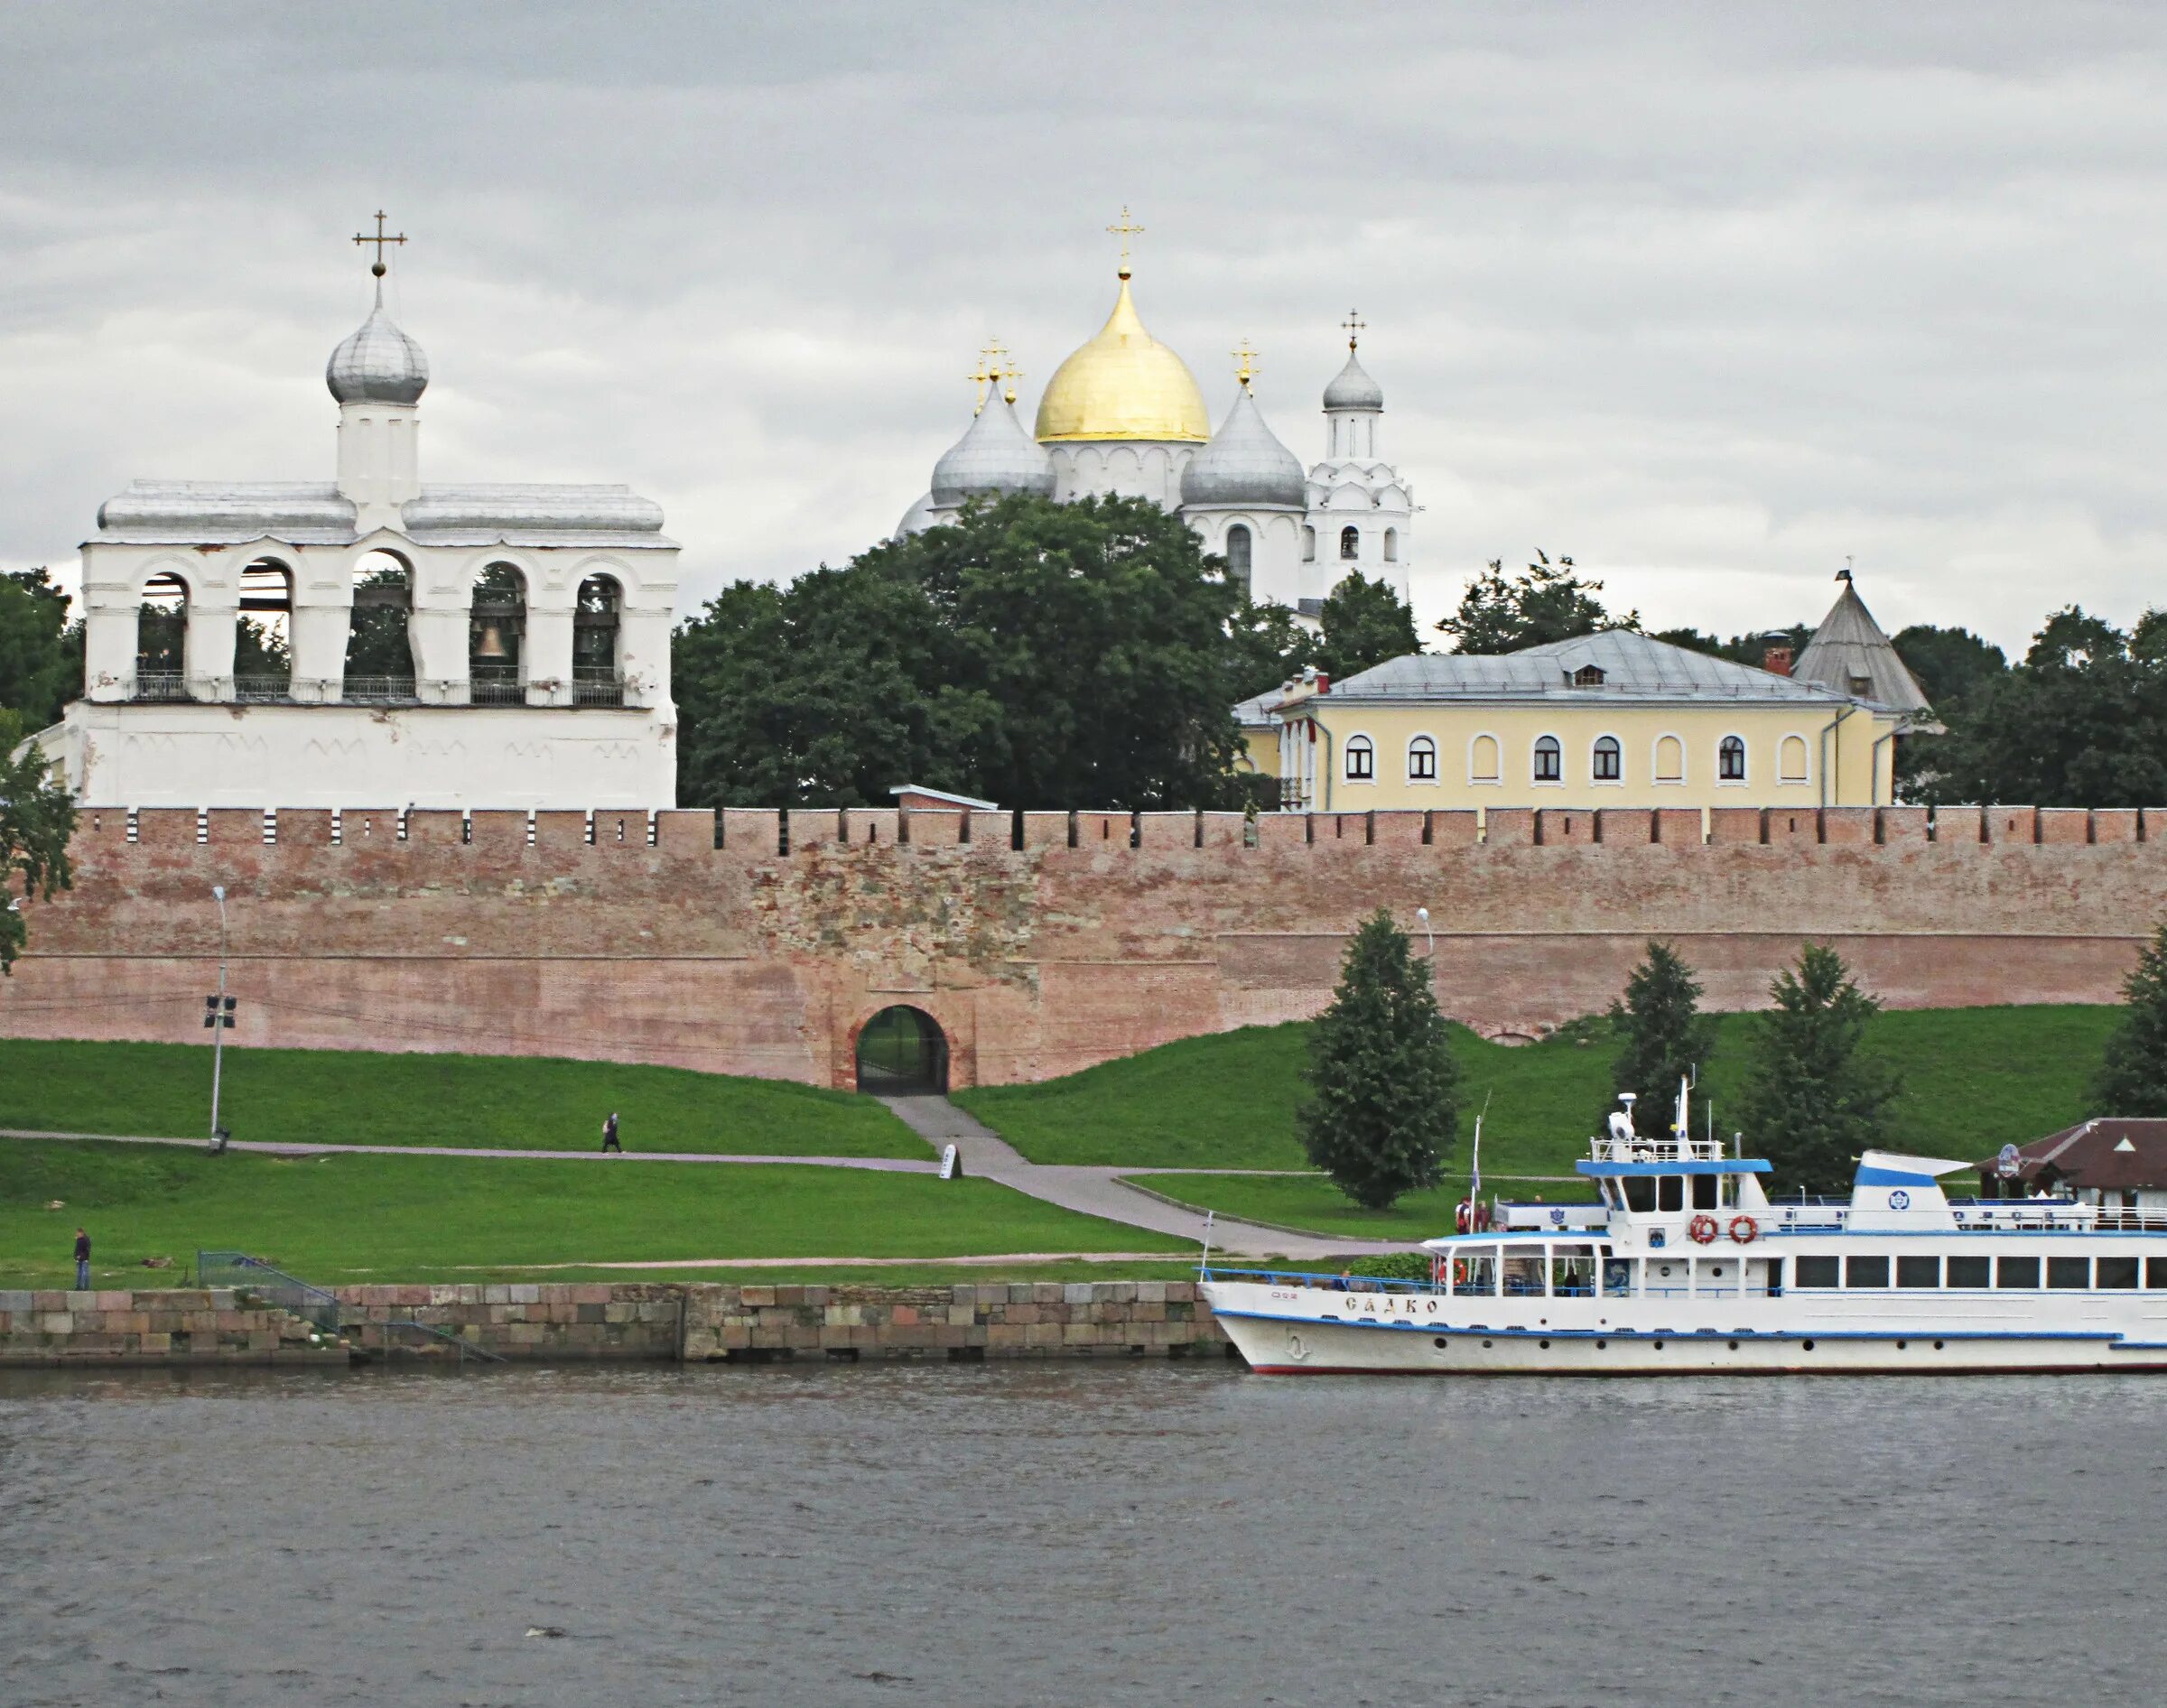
(1707, 298)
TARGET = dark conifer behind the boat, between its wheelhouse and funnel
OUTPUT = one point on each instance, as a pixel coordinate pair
(1813, 1100)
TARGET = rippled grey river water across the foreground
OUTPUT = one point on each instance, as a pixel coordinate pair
(1076, 1536)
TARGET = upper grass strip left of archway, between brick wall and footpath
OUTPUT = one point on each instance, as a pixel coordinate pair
(497, 1102)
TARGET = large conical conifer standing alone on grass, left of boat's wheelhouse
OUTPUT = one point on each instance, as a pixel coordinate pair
(1386, 1089)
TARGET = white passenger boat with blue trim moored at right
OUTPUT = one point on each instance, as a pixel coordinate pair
(1687, 1267)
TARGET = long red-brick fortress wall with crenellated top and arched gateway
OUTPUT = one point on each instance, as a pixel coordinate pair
(1039, 942)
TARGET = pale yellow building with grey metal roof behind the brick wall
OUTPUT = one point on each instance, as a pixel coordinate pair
(1602, 721)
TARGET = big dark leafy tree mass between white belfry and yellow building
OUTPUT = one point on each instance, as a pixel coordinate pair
(1028, 651)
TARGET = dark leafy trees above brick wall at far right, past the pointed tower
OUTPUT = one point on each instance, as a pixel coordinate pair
(2079, 723)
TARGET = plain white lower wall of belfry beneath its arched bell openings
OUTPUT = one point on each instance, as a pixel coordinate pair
(445, 758)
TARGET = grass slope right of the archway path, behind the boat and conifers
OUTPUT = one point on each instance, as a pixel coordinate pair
(1973, 1081)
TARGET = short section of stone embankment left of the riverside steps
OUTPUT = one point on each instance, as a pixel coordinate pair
(170, 1325)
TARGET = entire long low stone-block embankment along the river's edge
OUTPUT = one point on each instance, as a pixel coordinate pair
(625, 1321)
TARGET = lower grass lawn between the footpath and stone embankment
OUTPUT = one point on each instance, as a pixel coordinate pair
(389, 1219)
